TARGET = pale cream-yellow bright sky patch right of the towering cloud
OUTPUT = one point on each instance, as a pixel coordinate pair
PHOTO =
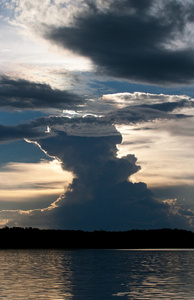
(165, 158)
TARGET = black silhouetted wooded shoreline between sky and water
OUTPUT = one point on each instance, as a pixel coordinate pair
(34, 238)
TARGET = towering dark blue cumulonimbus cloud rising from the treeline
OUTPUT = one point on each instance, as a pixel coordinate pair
(101, 195)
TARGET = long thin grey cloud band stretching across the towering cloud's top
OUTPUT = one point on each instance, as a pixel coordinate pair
(90, 125)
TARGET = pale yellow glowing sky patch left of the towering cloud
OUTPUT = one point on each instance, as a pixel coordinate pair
(24, 182)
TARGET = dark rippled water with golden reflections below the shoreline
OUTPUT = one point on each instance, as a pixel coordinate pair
(96, 274)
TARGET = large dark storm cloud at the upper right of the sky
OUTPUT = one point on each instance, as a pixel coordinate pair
(133, 39)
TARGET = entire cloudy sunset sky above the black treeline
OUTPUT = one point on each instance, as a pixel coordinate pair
(97, 114)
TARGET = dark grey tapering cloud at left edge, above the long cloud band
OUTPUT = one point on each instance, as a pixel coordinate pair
(23, 94)
